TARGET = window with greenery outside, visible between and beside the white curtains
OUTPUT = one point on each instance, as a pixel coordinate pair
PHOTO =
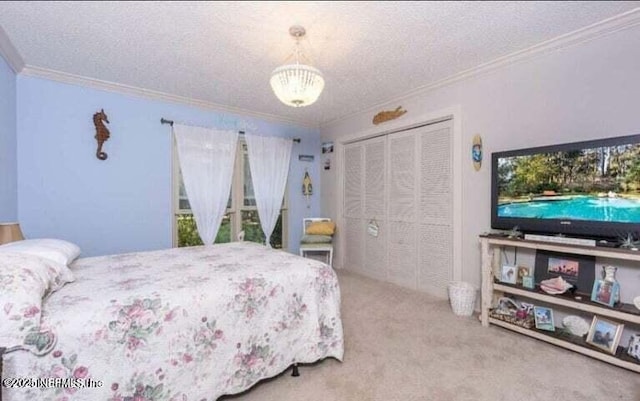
(241, 213)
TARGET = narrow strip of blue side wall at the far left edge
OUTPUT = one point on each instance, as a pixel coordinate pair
(8, 172)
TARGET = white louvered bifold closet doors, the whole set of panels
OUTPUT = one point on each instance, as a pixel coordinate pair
(402, 182)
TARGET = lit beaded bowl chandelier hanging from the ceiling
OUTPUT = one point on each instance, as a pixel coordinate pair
(296, 84)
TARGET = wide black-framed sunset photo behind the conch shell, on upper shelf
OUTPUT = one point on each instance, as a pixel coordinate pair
(579, 270)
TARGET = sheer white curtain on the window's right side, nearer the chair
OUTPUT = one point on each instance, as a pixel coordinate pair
(269, 163)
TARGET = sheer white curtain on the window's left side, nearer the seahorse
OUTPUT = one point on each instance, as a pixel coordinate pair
(206, 160)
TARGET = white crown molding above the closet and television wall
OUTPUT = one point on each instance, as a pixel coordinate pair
(591, 32)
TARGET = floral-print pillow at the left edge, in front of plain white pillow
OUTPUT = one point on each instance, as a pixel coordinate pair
(24, 281)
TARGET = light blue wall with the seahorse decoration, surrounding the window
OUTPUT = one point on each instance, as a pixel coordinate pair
(121, 204)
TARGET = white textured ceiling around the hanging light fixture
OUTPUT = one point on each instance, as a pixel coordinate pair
(223, 52)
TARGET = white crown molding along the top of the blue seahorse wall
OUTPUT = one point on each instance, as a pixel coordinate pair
(72, 79)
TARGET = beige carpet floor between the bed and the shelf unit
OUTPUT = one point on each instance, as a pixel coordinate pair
(404, 345)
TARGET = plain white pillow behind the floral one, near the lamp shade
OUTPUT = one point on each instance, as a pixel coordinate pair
(61, 251)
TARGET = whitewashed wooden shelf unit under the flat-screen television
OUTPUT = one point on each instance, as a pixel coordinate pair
(491, 249)
